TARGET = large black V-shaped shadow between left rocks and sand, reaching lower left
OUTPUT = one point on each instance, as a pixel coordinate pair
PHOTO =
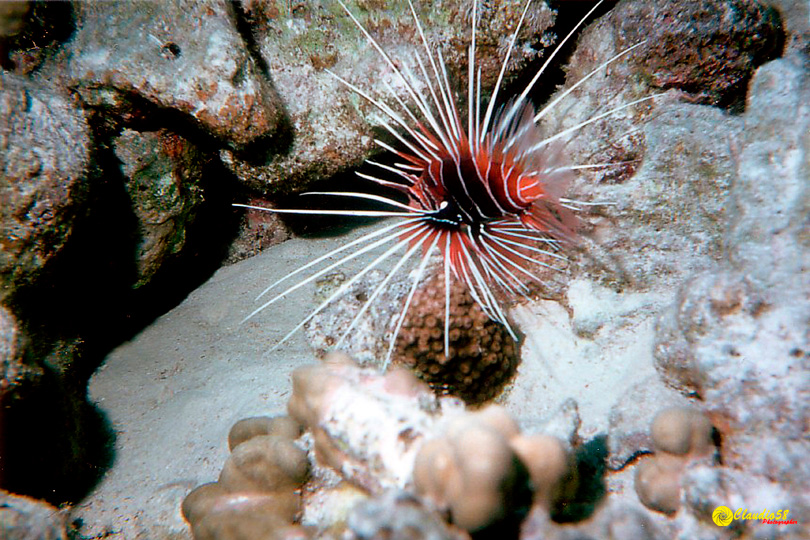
(55, 444)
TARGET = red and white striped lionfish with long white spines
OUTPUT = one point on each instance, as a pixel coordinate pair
(485, 193)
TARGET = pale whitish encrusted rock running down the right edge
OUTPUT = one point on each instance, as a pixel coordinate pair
(737, 335)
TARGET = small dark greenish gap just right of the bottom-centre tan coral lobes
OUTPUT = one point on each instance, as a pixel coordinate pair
(584, 487)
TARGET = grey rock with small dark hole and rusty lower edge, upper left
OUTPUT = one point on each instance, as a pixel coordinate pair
(189, 59)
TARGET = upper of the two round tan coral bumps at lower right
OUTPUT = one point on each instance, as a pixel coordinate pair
(681, 431)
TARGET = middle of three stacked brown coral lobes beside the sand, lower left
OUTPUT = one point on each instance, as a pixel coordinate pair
(264, 463)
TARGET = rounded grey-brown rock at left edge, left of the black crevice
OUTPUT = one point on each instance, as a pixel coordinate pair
(44, 156)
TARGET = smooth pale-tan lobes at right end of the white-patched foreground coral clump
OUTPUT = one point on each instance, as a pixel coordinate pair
(483, 472)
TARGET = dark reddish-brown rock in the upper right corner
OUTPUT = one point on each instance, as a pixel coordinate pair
(709, 49)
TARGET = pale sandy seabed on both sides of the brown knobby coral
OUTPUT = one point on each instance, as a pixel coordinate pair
(173, 392)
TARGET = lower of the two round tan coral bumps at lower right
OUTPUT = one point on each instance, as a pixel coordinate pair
(658, 483)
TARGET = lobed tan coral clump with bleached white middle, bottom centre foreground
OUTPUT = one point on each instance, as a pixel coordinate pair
(383, 432)
